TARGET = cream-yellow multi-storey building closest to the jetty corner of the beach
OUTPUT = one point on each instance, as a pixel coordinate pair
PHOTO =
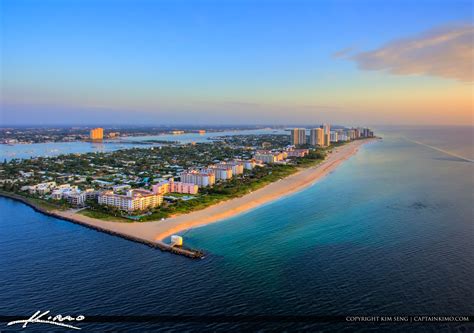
(138, 199)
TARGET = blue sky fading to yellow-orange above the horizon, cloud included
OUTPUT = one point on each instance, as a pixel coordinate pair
(203, 62)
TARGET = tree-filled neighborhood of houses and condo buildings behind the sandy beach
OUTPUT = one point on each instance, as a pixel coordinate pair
(143, 183)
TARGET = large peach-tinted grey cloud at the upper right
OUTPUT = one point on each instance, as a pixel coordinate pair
(446, 52)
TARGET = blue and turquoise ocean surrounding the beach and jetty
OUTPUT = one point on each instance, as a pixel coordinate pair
(390, 232)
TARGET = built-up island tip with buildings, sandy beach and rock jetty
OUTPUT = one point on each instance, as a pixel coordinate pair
(217, 180)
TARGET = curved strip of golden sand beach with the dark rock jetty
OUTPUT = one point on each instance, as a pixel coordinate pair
(152, 233)
